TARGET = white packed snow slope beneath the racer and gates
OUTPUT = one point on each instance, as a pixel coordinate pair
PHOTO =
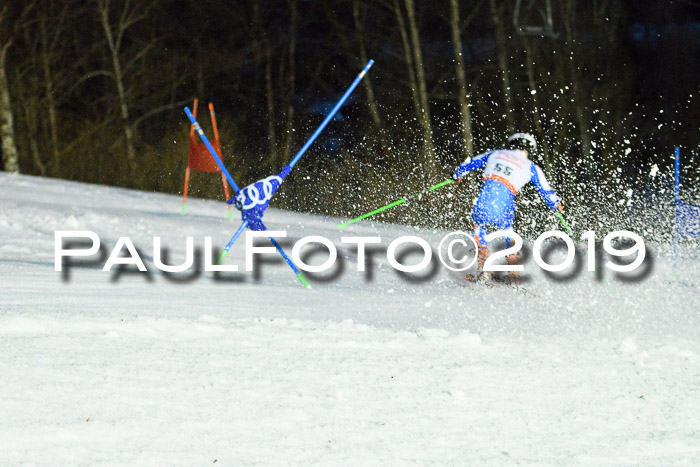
(364, 368)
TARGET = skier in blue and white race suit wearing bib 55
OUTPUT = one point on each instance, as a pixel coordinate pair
(506, 171)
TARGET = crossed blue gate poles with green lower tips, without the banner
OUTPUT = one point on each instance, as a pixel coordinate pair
(296, 158)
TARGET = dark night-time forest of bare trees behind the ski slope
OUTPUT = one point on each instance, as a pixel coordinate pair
(94, 90)
